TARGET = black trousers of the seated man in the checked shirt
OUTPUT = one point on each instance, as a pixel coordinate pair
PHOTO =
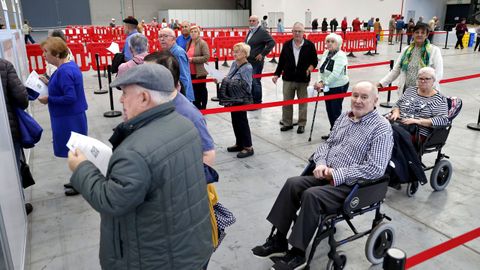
(314, 197)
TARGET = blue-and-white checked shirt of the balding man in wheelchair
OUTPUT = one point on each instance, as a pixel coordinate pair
(357, 149)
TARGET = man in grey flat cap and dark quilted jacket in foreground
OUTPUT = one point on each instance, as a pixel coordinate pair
(153, 200)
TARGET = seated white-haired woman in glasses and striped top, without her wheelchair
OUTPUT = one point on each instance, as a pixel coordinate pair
(421, 107)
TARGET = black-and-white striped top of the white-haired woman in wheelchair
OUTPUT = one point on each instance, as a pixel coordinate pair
(435, 108)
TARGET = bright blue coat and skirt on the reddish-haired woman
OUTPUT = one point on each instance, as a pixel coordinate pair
(67, 106)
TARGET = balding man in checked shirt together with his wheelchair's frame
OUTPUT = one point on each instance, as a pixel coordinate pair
(359, 147)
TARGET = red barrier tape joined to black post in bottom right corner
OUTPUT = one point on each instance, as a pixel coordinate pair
(443, 247)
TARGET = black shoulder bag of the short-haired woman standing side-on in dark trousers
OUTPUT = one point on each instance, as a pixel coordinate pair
(234, 91)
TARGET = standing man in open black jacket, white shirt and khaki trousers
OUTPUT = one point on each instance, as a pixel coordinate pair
(297, 61)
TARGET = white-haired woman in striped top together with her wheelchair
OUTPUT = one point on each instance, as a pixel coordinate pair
(426, 114)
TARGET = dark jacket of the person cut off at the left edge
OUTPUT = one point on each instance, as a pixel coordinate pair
(15, 95)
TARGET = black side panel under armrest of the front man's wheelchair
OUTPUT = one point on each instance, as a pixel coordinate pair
(365, 193)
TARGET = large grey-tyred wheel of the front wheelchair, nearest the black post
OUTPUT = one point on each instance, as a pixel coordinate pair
(379, 241)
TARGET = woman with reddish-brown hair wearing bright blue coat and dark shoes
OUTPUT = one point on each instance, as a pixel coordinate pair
(66, 99)
